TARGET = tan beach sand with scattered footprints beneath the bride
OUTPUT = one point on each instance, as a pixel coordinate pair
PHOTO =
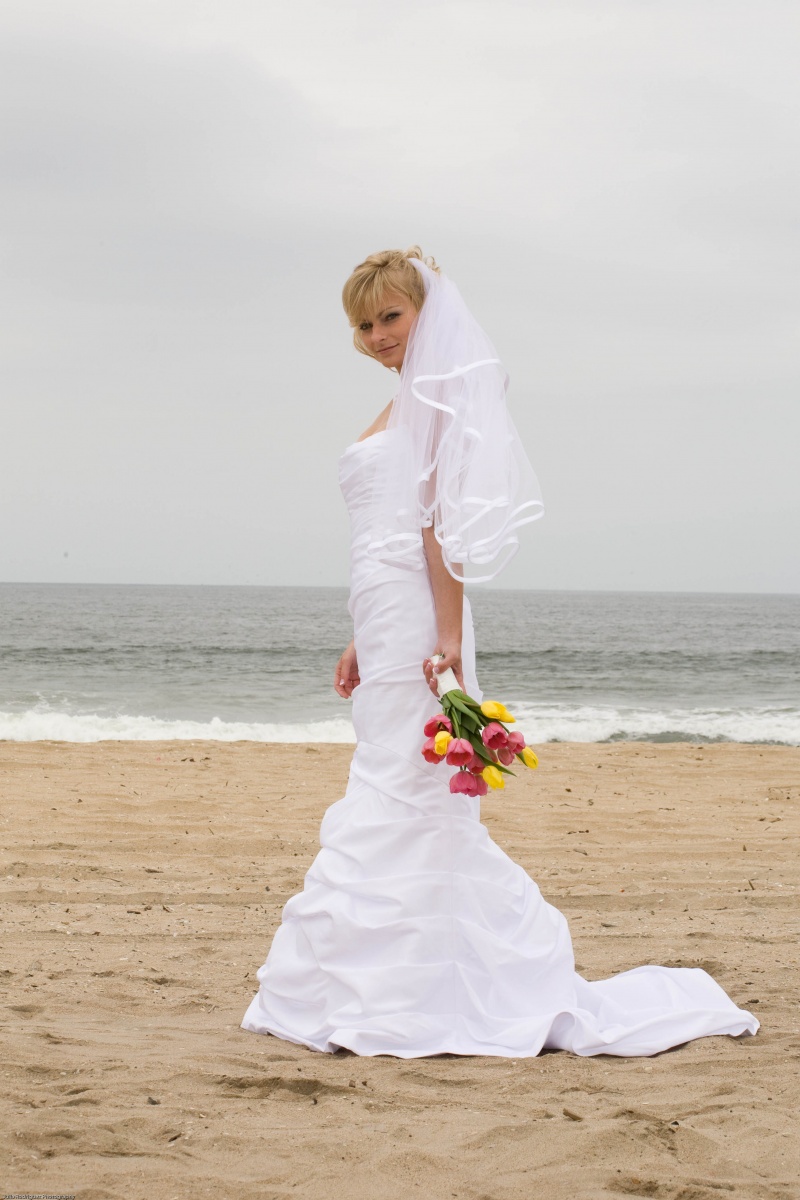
(142, 886)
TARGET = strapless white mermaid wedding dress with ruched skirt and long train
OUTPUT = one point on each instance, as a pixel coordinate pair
(416, 934)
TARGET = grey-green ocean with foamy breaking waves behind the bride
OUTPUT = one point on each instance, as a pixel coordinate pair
(86, 663)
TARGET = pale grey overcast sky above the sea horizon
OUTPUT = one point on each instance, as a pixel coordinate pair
(185, 187)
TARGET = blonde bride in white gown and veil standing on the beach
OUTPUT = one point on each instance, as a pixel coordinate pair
(416, 934)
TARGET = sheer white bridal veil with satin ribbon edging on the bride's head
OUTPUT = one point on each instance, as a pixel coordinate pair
(455, 460)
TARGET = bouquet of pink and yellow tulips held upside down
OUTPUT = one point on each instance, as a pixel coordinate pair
(474, 739)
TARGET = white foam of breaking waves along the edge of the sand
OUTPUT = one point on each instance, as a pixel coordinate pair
(539, 723)
